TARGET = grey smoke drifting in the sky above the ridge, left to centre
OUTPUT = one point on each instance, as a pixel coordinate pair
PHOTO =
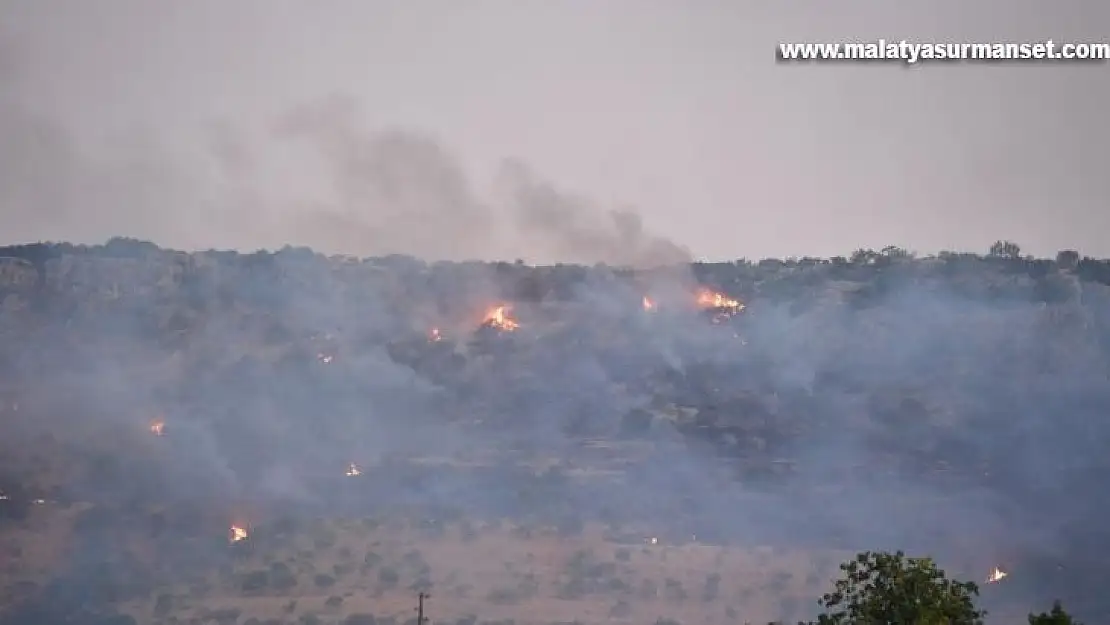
(315, 176)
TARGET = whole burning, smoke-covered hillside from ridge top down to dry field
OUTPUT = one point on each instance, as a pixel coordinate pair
(289, 438)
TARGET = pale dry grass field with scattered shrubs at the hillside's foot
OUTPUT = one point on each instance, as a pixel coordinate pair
(336, 571)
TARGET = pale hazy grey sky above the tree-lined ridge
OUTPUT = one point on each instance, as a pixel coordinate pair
(191, 124)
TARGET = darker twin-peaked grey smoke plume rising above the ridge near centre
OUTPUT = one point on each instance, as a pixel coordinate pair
(399, 193)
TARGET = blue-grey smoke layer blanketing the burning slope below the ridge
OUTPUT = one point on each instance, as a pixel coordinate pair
(925, 416)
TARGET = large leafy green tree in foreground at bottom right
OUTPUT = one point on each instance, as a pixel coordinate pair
(884, 589)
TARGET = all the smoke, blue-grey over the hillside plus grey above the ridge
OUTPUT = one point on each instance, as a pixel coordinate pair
(849, 377)
